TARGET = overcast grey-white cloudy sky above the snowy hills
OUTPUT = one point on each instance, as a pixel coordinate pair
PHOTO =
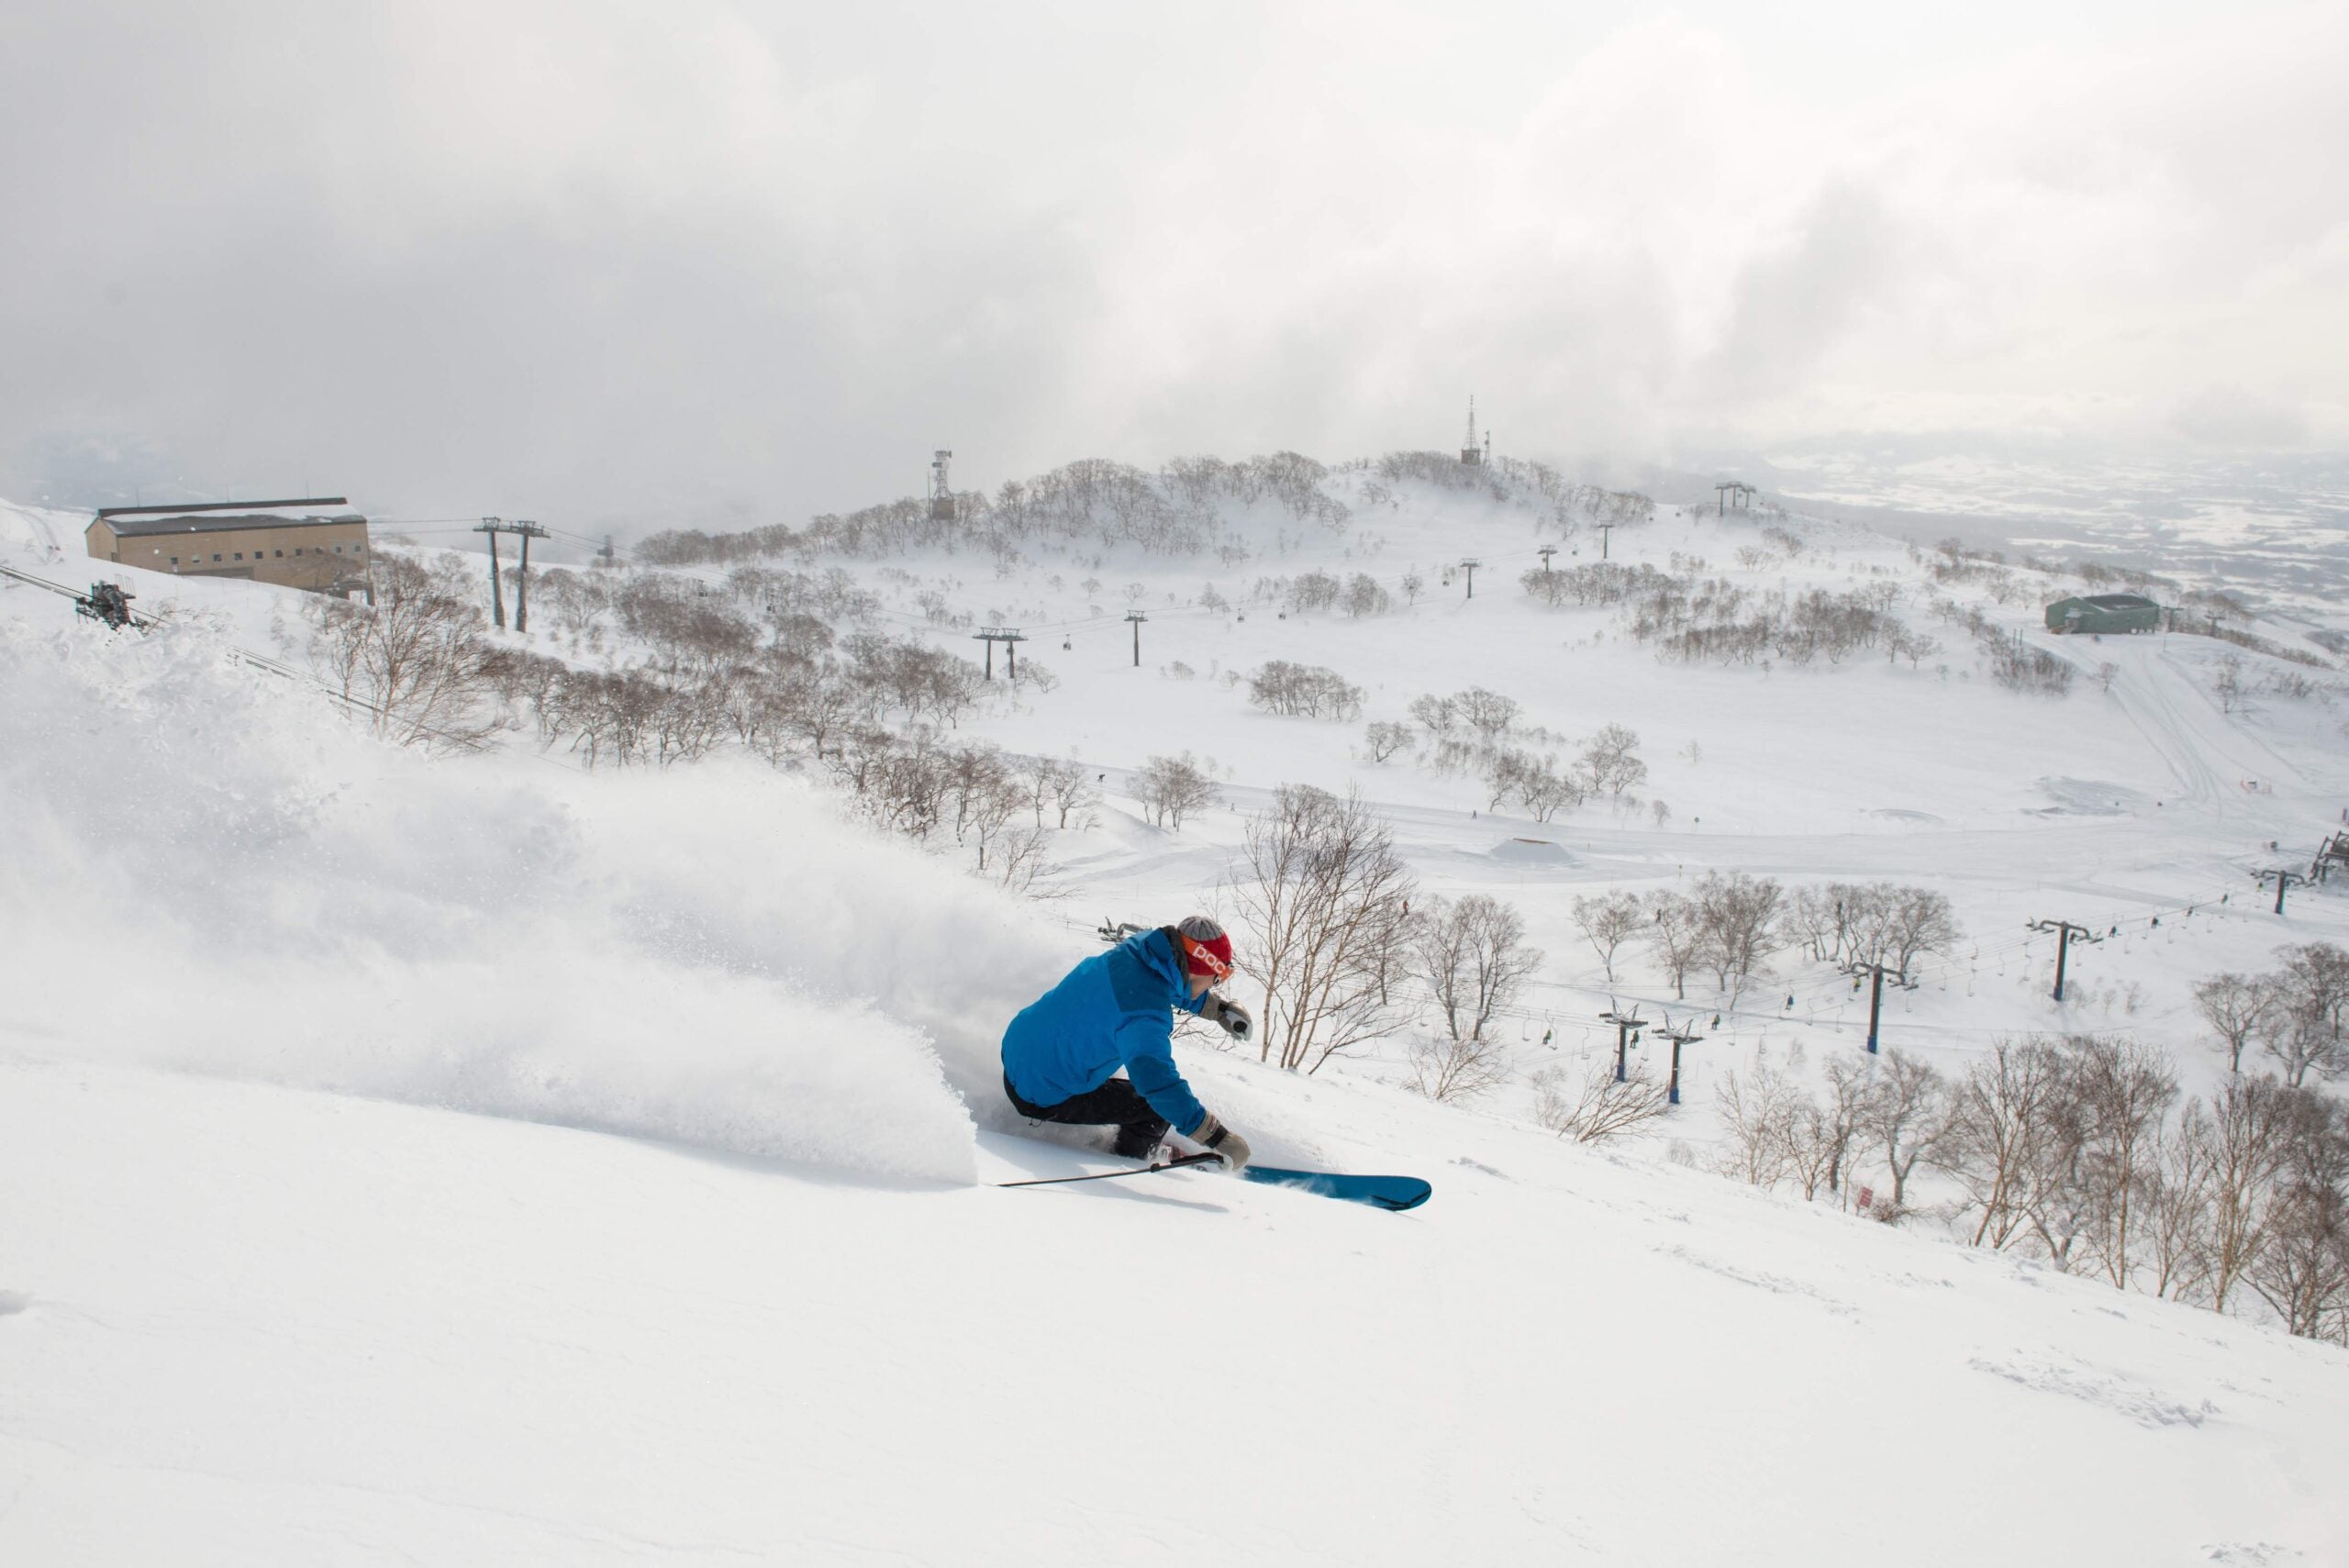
(598, 262)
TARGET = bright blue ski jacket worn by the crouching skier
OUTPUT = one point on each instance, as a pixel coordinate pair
(1110, 1013)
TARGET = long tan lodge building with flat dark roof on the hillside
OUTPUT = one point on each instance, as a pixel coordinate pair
(269, 541)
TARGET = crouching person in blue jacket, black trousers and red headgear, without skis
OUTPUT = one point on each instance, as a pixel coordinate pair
(1115, 1011)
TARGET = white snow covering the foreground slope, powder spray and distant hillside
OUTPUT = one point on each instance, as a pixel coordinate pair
(487, 1161)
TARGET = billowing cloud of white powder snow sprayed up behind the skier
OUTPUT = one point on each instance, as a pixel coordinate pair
(213, 872)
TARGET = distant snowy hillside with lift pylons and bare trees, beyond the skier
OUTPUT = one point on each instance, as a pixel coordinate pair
(2108, 809)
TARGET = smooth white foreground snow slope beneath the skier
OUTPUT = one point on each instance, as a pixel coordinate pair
(260, 1325)
